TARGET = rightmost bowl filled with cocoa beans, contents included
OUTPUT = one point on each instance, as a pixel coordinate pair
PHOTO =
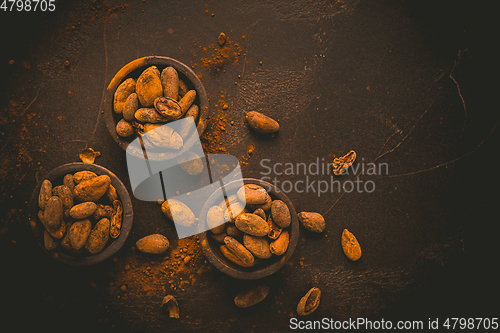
(253, 232)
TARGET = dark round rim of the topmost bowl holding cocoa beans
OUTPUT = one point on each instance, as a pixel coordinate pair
(153, 61)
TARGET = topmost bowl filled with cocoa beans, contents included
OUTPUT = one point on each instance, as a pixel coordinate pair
(148, 95)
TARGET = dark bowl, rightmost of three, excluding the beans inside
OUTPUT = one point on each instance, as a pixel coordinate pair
(266, 267)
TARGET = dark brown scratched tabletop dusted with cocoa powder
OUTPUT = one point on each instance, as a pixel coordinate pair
(400, 82)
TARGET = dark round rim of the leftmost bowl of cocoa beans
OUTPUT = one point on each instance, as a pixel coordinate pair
(109, 251)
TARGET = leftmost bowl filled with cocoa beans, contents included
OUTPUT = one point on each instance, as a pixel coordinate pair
(80, 214)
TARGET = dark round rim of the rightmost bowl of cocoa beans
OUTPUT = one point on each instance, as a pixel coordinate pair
(229, 268)
